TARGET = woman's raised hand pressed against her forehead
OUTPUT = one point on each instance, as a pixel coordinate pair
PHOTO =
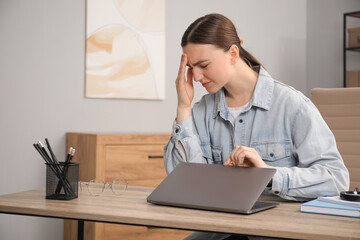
(185, 91)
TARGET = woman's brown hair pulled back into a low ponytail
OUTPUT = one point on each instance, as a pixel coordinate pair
(217, 30)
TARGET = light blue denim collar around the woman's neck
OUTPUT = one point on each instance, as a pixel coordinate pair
(261, 98)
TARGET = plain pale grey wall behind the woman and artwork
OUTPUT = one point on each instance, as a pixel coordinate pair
(42, 78)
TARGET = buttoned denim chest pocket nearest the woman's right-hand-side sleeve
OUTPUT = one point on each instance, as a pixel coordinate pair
(273, 151)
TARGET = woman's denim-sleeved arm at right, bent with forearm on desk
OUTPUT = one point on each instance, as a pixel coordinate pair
(320, 170)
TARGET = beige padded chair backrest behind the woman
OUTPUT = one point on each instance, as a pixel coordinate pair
(340, 107)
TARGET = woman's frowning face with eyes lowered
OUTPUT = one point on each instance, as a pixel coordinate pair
(209, 64)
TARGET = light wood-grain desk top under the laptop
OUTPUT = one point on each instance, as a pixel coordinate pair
(285, 221)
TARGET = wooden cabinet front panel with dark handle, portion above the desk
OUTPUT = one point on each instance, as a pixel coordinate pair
(140, 165)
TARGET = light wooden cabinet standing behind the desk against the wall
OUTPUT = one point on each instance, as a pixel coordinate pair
(138, 158)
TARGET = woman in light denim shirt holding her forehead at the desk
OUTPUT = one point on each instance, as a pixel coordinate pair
(248, 118)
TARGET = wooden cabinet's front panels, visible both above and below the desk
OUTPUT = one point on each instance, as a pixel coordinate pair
(140, 165)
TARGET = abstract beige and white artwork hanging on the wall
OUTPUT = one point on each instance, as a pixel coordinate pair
(125, 49)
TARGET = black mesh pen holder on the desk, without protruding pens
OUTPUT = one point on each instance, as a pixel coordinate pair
(62, 181)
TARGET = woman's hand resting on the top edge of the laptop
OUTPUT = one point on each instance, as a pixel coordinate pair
(245, 157)
